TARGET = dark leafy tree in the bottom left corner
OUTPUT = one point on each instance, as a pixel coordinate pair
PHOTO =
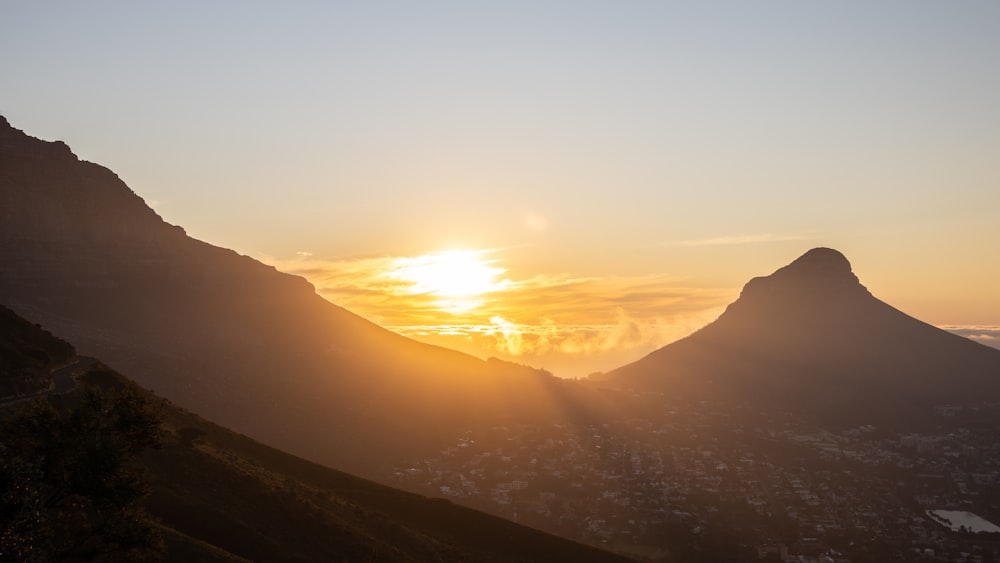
(70, 485)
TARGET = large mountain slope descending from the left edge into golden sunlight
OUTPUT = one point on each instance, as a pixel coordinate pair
(231, 338)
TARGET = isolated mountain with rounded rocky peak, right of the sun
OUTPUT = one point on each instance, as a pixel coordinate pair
(810, 338)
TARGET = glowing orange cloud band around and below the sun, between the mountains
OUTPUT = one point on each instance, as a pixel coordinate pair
(563, 322)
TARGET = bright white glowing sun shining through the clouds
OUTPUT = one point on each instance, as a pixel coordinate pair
(457, 277)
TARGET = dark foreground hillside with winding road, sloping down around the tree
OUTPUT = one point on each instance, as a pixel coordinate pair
(220, 496)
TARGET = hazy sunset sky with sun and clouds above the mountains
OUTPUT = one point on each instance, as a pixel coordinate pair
(566, 184)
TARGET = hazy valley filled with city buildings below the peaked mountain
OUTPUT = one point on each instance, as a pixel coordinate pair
(739, 481)
